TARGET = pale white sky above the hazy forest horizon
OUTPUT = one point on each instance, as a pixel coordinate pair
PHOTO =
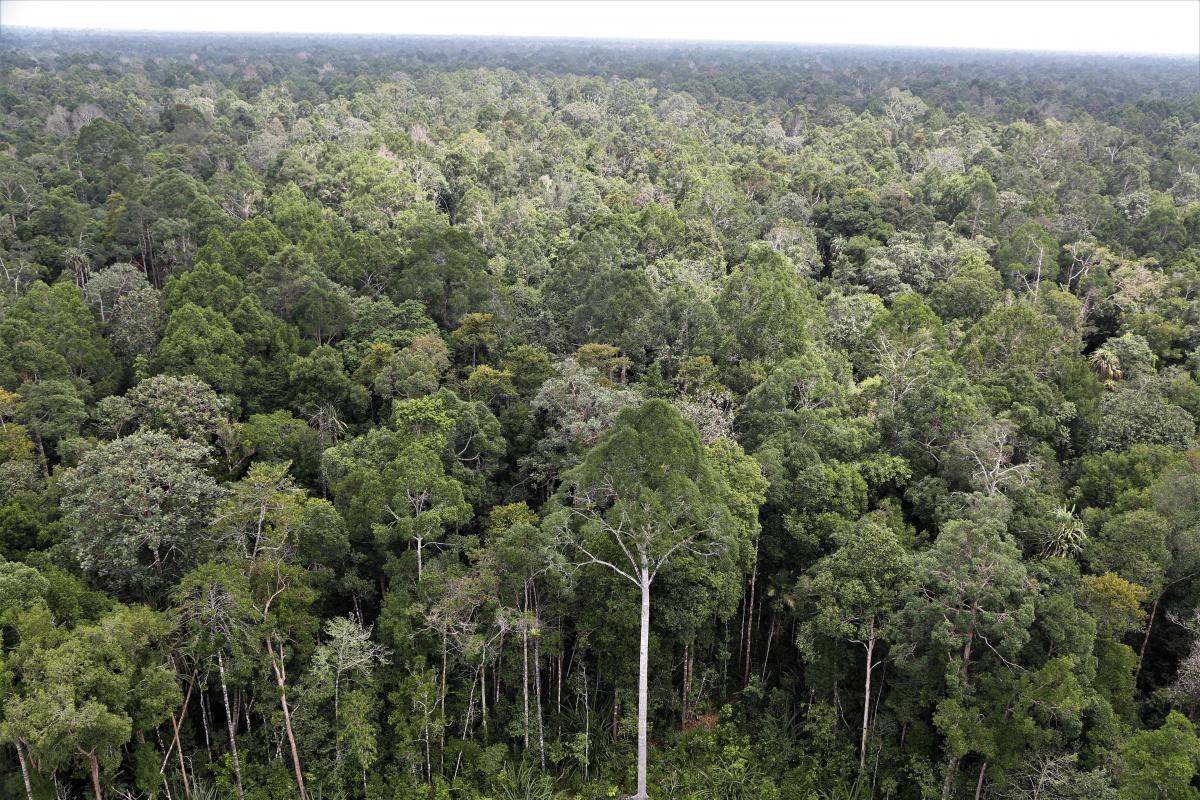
(1161, 27)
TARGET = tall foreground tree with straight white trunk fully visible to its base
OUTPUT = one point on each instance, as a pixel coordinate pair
(644, 495)
